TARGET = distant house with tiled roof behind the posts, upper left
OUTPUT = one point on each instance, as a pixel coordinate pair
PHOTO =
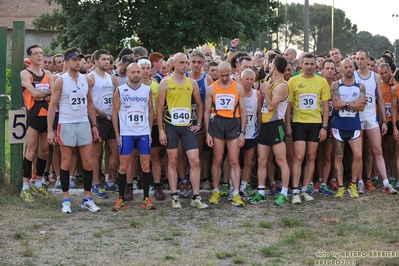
(26, 10)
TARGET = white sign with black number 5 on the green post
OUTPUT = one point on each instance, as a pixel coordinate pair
(17, 126)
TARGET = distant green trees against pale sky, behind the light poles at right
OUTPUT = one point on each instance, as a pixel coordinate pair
(346, 37)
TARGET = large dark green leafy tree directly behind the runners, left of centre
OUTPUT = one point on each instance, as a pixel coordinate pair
(165, 26)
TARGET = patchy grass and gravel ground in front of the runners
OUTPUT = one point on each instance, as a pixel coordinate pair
(262, 234)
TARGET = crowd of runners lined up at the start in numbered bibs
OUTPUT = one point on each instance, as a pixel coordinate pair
(205, 115)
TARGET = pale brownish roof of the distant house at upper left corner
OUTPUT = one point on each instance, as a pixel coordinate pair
(23, 10)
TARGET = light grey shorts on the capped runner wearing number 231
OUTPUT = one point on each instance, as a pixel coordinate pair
(74, 134)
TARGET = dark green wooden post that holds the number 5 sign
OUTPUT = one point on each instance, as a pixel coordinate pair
(17, 64)
